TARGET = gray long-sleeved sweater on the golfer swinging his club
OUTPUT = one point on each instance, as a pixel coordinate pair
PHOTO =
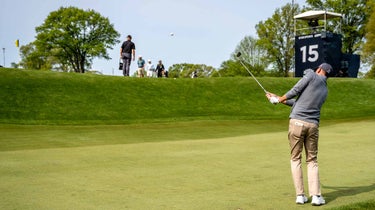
(312, 93)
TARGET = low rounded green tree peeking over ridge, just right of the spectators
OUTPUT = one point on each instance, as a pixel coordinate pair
(185, 70)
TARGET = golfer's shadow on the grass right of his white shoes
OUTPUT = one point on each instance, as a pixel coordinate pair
(346, 191)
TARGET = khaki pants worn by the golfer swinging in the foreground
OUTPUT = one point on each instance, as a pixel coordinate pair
(303, 134)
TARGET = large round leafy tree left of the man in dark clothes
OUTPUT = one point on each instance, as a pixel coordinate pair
(75, 37)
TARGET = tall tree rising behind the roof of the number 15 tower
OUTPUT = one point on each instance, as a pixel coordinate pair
(356, 14)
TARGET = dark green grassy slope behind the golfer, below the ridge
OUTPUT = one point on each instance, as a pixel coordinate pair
(39, 97)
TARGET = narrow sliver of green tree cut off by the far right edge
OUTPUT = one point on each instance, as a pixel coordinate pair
(369, 47)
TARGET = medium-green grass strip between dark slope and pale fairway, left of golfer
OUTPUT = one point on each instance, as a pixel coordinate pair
(26, 137)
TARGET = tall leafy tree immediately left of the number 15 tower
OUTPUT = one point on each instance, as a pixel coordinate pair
(276, 36)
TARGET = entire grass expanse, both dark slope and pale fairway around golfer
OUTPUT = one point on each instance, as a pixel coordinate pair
(71, 141)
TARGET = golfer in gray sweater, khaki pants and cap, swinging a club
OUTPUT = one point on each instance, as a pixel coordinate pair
(311, 92)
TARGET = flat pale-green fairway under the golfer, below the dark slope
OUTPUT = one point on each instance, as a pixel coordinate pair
(238, 171)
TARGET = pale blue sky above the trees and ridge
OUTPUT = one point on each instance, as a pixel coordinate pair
(205, 31)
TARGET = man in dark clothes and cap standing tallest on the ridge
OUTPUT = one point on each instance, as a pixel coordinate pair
(127, 52)
